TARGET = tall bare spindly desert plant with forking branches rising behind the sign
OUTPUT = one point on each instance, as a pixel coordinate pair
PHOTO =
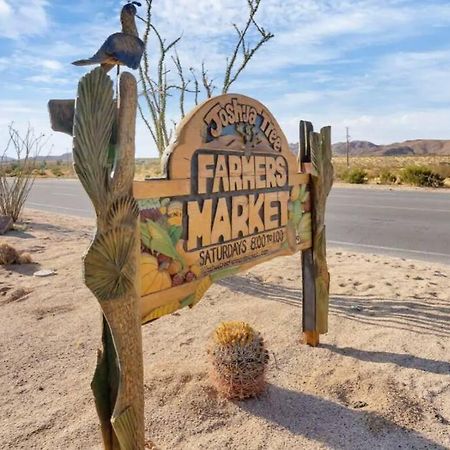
(156, 89)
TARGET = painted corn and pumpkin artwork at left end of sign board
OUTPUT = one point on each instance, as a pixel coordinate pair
(164, 262)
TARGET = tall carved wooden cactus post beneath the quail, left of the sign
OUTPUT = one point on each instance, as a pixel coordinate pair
(103, 148)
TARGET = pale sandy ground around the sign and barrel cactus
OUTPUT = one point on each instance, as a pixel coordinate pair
(379, 380)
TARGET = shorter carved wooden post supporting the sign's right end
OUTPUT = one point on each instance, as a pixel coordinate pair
(315, 158)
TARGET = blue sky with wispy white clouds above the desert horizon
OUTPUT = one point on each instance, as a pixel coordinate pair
(380, 67)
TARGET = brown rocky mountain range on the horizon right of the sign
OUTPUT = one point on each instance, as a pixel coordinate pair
(412, 147)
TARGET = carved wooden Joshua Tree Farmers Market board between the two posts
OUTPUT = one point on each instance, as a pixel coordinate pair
(232, 198)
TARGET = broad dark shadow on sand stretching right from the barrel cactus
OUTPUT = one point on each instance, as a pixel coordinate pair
(331, 423)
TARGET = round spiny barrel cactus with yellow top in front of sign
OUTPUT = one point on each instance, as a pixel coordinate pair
(239, 359)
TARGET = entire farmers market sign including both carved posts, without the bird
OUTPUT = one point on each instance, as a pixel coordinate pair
(232, 197)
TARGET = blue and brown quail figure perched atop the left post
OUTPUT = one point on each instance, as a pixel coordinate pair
(123, 48)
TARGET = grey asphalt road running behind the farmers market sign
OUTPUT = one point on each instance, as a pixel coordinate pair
(409, 224)
